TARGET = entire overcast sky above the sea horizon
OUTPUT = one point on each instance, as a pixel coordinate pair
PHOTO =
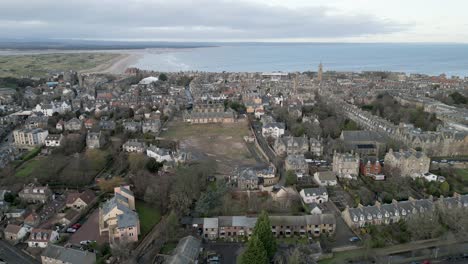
(253, 20)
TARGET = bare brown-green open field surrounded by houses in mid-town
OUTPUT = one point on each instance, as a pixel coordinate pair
(221, 142)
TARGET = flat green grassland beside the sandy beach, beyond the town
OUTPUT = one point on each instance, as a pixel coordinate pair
(39, 65)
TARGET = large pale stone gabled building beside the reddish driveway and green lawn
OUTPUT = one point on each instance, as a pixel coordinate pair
(118, 217)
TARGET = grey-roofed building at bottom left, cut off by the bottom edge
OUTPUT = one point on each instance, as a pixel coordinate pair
(54, 254)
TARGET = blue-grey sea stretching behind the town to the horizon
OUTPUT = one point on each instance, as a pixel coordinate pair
(432, 59)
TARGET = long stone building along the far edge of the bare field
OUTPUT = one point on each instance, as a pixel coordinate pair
(209, 113)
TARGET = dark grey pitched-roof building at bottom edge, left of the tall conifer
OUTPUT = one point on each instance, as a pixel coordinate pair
(187, 251)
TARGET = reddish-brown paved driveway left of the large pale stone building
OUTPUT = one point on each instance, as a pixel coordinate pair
(89, 231)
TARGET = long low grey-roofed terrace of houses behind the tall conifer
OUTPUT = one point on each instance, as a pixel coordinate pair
(281, 226)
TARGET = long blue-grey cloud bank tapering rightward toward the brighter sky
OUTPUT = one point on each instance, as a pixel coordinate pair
(182, 19)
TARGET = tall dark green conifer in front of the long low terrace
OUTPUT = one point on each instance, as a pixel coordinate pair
(262, 230)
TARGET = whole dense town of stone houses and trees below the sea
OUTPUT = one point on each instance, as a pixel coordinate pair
(200, 167)
